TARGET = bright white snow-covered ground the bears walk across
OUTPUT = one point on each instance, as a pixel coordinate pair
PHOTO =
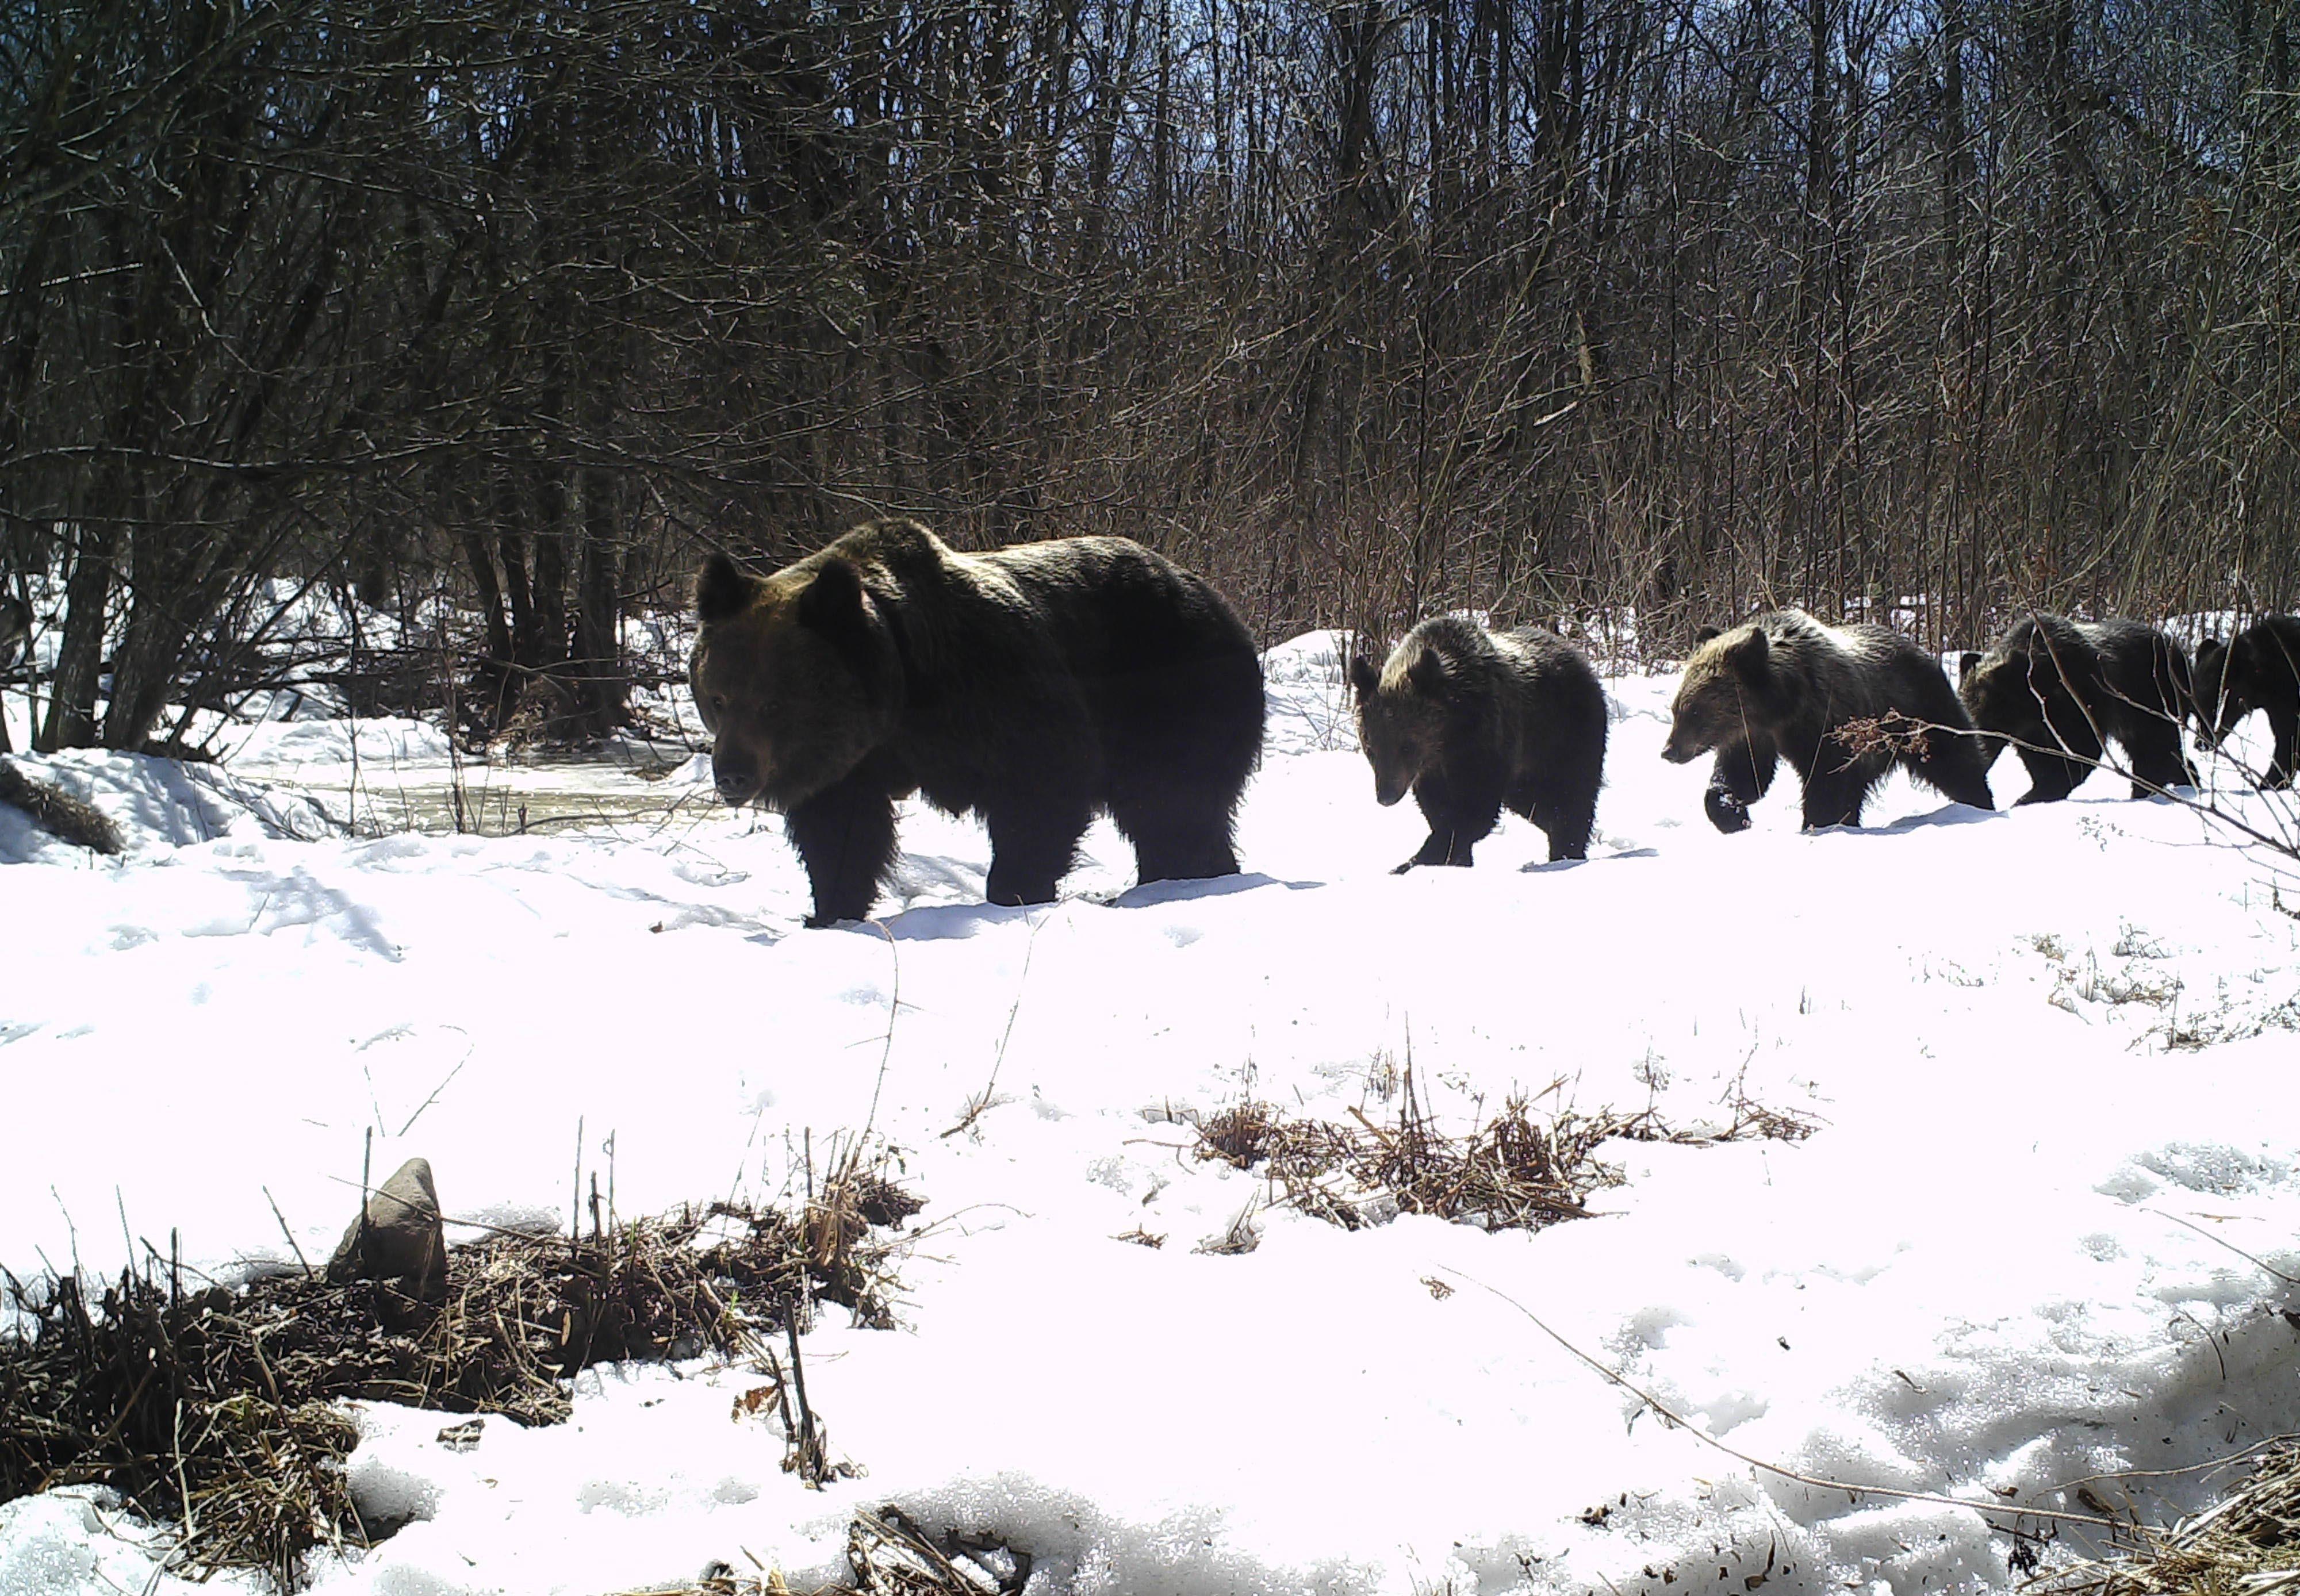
(2044, 1236)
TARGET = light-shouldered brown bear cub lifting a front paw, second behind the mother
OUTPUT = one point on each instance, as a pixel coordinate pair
(1786, 684)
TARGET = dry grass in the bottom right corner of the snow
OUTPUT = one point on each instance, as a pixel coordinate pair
(2248, 1544)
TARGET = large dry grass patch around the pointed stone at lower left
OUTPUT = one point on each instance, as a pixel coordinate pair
(217, 1411)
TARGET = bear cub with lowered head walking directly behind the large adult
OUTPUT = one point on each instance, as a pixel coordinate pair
(1480, 721)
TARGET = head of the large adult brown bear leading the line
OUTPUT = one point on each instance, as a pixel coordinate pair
(795, 675)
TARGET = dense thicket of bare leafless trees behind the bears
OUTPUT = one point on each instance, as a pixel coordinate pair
(1365, 307)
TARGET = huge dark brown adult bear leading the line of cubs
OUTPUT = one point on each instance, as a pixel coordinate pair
(1034, 686)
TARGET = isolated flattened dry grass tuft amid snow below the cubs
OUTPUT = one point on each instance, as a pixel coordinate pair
(1515, 1172)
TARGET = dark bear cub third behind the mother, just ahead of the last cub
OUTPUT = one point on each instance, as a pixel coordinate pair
(2062, 689)
